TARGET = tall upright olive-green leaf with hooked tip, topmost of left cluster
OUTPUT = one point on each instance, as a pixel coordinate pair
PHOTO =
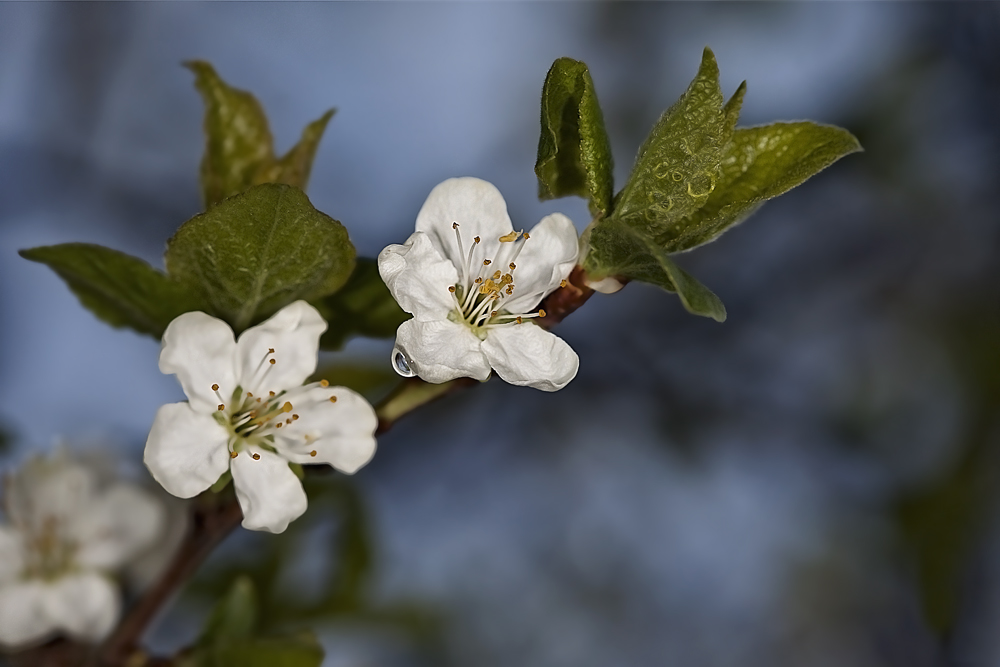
(237, 138)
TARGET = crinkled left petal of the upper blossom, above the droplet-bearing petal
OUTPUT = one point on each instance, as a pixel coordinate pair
(418, 277)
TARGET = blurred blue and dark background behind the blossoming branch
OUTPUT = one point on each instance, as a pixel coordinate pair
(812, 483)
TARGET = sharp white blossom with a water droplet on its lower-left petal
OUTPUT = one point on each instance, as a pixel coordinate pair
(471, 283)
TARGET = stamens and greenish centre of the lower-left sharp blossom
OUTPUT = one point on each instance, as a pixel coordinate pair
(253, 421)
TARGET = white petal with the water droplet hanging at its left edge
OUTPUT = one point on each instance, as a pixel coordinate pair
(442, 350)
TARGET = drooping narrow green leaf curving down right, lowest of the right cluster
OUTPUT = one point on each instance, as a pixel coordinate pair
(619, 250)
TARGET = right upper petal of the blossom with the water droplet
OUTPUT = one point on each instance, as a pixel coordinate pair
(548, 257)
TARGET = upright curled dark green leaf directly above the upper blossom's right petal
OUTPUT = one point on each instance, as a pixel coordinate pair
(574, 154)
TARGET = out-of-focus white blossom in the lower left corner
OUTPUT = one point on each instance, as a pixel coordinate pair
(66, 533)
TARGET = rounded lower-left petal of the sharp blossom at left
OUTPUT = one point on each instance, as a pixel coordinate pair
(186, 450)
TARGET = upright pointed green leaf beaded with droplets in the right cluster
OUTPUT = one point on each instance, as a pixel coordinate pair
(678, 166)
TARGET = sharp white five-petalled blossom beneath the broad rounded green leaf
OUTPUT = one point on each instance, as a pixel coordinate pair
(248, 413)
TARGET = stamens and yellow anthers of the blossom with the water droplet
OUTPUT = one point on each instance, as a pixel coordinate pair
(483, 289)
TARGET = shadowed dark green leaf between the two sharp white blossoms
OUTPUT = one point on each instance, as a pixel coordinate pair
(362, 307)
